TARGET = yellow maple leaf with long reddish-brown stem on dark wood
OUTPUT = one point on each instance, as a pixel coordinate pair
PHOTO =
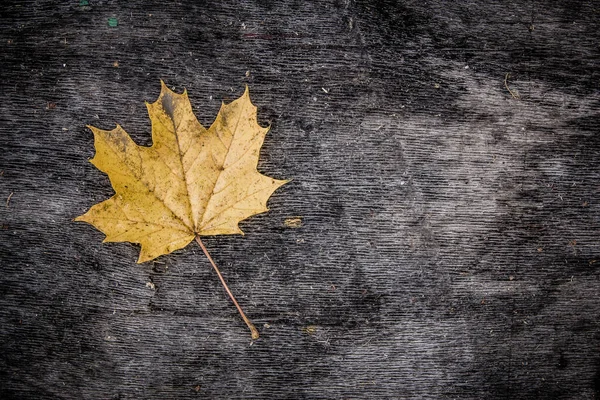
(191, 182)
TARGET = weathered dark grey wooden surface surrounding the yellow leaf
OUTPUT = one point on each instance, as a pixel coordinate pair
(450, 238)
